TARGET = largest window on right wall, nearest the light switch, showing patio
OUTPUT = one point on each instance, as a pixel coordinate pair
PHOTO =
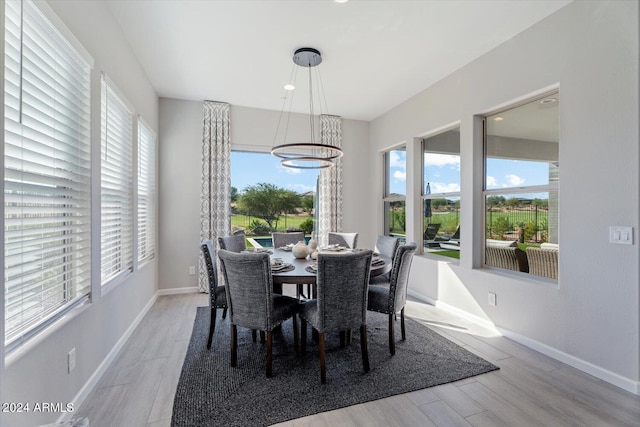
(521, 184)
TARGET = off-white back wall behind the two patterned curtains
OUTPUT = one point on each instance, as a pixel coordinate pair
(251, 129)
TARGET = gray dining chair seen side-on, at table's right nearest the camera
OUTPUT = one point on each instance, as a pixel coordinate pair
(391, 299)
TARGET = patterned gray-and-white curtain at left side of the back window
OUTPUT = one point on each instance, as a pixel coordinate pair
(215, 194)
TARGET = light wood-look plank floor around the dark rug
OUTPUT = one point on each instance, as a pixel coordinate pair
(530, 389)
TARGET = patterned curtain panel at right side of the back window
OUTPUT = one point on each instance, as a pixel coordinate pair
(330, 182)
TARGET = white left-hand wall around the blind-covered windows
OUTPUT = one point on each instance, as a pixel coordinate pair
(39, 373)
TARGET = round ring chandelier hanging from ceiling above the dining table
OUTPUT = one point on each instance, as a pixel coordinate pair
(312, 154)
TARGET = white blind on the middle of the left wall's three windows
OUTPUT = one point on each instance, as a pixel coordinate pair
(116, 161)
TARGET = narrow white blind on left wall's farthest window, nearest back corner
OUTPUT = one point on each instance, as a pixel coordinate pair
(146, 192)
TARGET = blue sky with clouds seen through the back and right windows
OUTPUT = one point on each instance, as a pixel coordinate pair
(441, 171)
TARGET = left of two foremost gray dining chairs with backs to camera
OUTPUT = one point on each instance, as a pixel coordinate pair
(252, 303)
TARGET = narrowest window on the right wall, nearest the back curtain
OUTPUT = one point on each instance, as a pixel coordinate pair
(395, 191)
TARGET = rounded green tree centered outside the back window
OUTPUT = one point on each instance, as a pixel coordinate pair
(268, 202)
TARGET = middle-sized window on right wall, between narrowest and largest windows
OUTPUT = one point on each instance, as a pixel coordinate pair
(441, 193)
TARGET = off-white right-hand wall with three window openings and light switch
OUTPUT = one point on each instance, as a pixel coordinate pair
(591, 317)
